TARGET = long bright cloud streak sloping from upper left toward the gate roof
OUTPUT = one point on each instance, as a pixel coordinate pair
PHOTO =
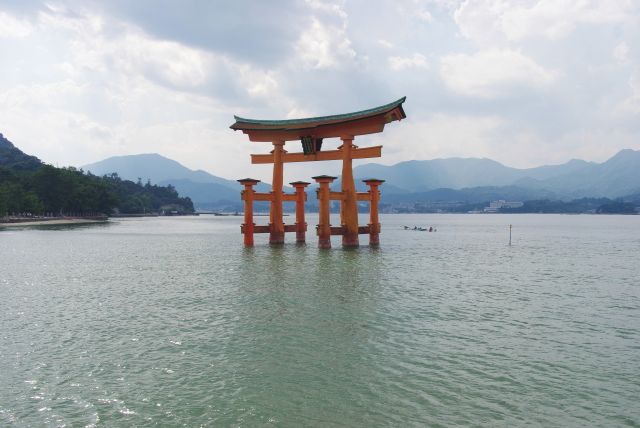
(132, 55)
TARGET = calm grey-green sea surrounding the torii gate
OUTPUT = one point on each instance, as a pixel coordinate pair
(171, 322)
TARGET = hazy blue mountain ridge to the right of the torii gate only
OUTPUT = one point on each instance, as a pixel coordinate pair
(618, 176)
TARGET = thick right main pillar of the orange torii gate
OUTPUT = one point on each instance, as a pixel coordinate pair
(349, 203)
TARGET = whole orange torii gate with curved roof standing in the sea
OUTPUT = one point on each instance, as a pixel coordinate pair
(311, 132)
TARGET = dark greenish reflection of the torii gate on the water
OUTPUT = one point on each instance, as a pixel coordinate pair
(310, 328)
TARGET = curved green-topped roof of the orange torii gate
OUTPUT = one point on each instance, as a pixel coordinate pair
(244, 123)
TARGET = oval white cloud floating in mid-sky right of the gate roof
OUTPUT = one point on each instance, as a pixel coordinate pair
(490, 73)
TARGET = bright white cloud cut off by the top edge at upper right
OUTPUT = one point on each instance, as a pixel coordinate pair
(488, 21)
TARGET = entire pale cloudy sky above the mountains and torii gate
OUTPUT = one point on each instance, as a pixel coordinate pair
(523, 82)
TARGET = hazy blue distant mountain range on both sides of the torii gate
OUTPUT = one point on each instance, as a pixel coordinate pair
(468, 180)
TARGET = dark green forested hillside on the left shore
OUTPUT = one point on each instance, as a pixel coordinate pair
(29, 186)
